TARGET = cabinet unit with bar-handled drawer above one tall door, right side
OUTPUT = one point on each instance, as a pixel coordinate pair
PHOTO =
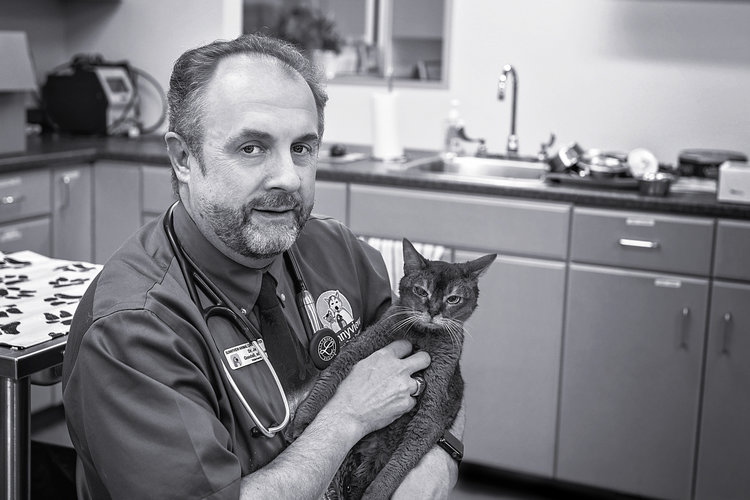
(632, 352)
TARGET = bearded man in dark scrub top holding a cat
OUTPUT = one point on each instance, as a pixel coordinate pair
(150, 408)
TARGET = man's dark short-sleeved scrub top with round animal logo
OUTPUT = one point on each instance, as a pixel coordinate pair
(148, 407)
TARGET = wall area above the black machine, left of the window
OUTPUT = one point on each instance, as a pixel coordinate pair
(149, 34)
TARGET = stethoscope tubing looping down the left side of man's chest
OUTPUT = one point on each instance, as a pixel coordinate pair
(221, 302)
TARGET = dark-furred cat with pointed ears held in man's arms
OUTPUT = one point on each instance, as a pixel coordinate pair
(425, 315)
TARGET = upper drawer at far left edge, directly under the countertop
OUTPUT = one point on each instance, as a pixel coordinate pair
(24, 195)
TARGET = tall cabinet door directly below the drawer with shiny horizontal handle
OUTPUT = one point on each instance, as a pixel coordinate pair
(630, 380)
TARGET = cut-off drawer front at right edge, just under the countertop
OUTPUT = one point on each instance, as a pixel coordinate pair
(732, 258)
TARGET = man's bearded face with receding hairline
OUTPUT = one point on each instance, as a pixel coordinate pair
(260, 147)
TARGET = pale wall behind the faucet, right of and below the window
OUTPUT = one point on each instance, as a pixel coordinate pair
(611, 74)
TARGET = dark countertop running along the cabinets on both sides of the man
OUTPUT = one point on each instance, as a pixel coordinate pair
(61, 150)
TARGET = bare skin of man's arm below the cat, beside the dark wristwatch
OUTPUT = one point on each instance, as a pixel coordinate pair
(433, 478)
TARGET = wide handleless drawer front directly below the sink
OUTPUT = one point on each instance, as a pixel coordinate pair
(466, 221)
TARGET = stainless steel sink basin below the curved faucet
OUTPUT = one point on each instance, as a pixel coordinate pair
(491, 168)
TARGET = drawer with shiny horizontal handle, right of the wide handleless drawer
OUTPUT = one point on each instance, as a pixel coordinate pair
(641, 240)
